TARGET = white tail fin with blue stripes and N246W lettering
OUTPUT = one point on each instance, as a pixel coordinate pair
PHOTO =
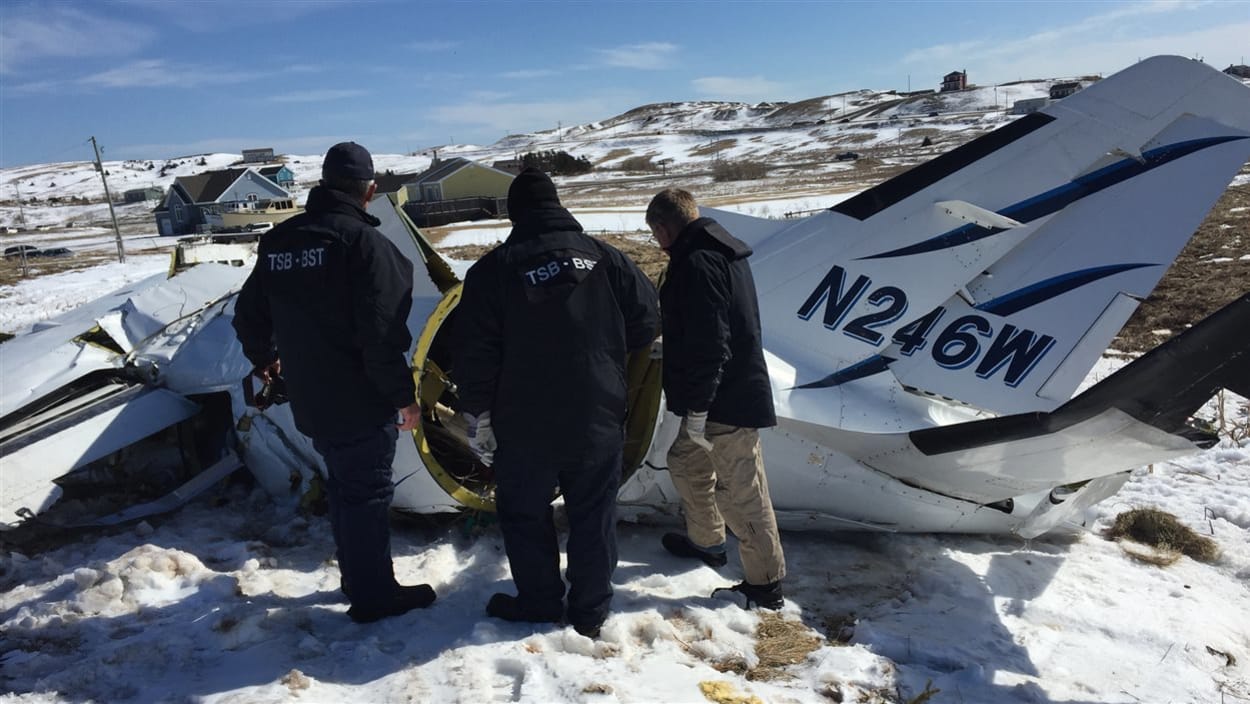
(999, 273)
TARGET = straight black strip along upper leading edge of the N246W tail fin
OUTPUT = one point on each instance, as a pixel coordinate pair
(914, 181)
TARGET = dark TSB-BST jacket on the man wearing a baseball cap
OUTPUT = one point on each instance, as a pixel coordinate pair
(331, 297)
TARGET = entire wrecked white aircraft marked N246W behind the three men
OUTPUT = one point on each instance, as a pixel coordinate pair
(924, 341)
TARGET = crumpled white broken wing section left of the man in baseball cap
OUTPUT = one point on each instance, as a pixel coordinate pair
(97, 381)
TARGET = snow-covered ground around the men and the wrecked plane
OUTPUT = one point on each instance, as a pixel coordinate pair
(234, 600)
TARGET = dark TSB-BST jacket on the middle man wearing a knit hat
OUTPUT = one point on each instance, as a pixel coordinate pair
(544, 327)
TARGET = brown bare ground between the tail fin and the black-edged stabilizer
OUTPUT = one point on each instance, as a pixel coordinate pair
(1212, 271)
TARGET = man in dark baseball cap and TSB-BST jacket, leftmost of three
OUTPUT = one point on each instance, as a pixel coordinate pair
(326, 308)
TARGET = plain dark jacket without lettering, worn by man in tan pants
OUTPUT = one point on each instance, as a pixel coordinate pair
(713, 357)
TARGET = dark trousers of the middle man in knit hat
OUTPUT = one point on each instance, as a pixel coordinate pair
(524, 493)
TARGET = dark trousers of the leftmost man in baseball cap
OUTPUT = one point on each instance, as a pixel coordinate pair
(361, 495)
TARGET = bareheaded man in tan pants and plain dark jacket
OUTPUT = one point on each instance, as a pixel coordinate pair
(716, 378)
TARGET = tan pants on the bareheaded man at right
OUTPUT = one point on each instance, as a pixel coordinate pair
(727, 487)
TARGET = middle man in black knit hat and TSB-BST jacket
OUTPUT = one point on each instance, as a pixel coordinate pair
(546, 323)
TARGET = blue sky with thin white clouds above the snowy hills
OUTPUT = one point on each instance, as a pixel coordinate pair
(156, 79)
